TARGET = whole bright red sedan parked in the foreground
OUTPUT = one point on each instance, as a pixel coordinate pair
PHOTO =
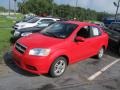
(61, 44)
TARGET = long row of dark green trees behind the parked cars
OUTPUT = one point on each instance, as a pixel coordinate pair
(40, 7)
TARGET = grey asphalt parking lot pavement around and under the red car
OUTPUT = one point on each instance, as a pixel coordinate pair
(89, 74)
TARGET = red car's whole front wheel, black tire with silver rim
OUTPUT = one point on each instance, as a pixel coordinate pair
(58, 67)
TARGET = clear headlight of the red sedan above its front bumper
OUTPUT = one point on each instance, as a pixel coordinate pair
(39, 52)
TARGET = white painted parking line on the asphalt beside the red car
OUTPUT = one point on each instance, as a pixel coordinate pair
(95, 75)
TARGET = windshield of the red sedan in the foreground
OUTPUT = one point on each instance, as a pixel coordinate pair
(59, 30)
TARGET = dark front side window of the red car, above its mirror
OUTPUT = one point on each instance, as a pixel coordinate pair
(84, 32)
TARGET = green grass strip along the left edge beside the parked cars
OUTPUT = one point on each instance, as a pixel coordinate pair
(5, 29)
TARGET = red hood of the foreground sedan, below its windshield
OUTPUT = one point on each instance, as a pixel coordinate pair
(39, 41)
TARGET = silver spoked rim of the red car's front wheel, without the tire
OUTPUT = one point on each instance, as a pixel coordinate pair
(59, 67)
